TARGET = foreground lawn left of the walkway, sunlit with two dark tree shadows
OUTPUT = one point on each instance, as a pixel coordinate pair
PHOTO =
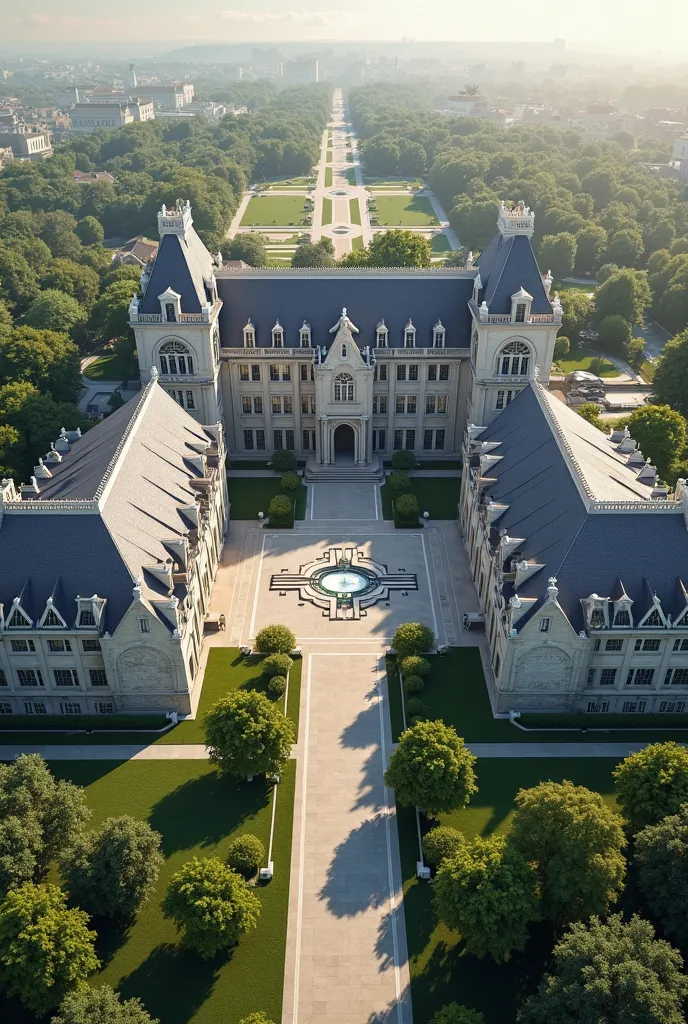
(198, 813)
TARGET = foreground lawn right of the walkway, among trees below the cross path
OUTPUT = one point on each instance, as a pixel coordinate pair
(442, 971)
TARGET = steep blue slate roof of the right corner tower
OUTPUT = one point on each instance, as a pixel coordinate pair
(506, 266)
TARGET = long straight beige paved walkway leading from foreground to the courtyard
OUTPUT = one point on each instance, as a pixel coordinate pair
(347, 946)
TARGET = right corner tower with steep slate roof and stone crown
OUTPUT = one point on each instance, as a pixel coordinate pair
(514, 323)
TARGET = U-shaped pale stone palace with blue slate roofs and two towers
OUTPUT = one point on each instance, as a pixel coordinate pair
(579, 554)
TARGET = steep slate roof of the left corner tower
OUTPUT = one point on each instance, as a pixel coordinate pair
(184, 266)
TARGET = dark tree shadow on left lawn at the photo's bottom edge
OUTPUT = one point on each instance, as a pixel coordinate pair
(156, 983)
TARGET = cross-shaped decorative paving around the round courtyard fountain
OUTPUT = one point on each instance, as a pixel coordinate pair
(343, 582)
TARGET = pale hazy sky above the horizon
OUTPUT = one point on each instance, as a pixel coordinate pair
(659, 25)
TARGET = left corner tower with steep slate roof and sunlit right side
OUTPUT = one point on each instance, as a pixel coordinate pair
(176, 318)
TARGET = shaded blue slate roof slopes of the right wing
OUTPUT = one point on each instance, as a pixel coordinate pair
(588, 552)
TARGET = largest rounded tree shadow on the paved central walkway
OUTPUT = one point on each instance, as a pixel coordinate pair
(358, 875)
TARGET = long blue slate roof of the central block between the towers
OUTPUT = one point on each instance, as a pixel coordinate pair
(319, 296)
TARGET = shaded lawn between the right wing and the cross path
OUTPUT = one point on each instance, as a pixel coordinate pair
(456, 693)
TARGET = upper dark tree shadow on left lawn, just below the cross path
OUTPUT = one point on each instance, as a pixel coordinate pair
(205, 810)
